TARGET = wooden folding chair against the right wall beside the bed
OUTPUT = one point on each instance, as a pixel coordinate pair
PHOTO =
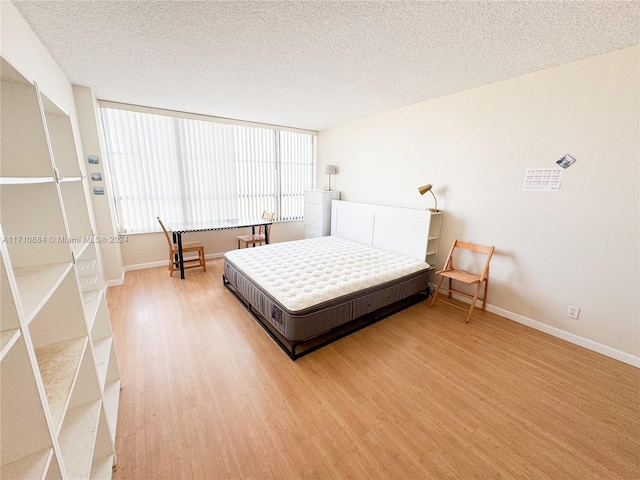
(469, 278)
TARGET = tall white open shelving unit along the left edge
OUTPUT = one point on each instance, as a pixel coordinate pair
(59, 374)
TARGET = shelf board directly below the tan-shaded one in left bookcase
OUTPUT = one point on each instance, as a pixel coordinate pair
(77, 439)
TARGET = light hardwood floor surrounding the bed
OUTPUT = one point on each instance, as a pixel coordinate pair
(207, 394)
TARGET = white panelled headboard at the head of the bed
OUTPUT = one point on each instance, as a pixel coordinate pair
(400, 230)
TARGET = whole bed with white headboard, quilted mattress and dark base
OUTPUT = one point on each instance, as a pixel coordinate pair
(308, 293)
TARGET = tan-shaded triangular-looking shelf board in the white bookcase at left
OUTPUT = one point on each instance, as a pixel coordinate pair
(58, 365)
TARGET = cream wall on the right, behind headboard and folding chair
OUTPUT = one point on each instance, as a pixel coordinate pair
(579, 245)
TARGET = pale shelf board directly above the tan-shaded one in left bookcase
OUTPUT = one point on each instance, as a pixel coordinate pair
(36, 284)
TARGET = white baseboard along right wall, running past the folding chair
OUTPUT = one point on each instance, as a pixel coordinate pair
(556, 332)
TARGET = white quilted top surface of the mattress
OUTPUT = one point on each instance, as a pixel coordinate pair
(304, 273)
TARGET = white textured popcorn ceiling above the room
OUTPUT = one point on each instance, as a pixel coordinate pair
(313, 64)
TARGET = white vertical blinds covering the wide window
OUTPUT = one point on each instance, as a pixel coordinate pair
(187, 170)
